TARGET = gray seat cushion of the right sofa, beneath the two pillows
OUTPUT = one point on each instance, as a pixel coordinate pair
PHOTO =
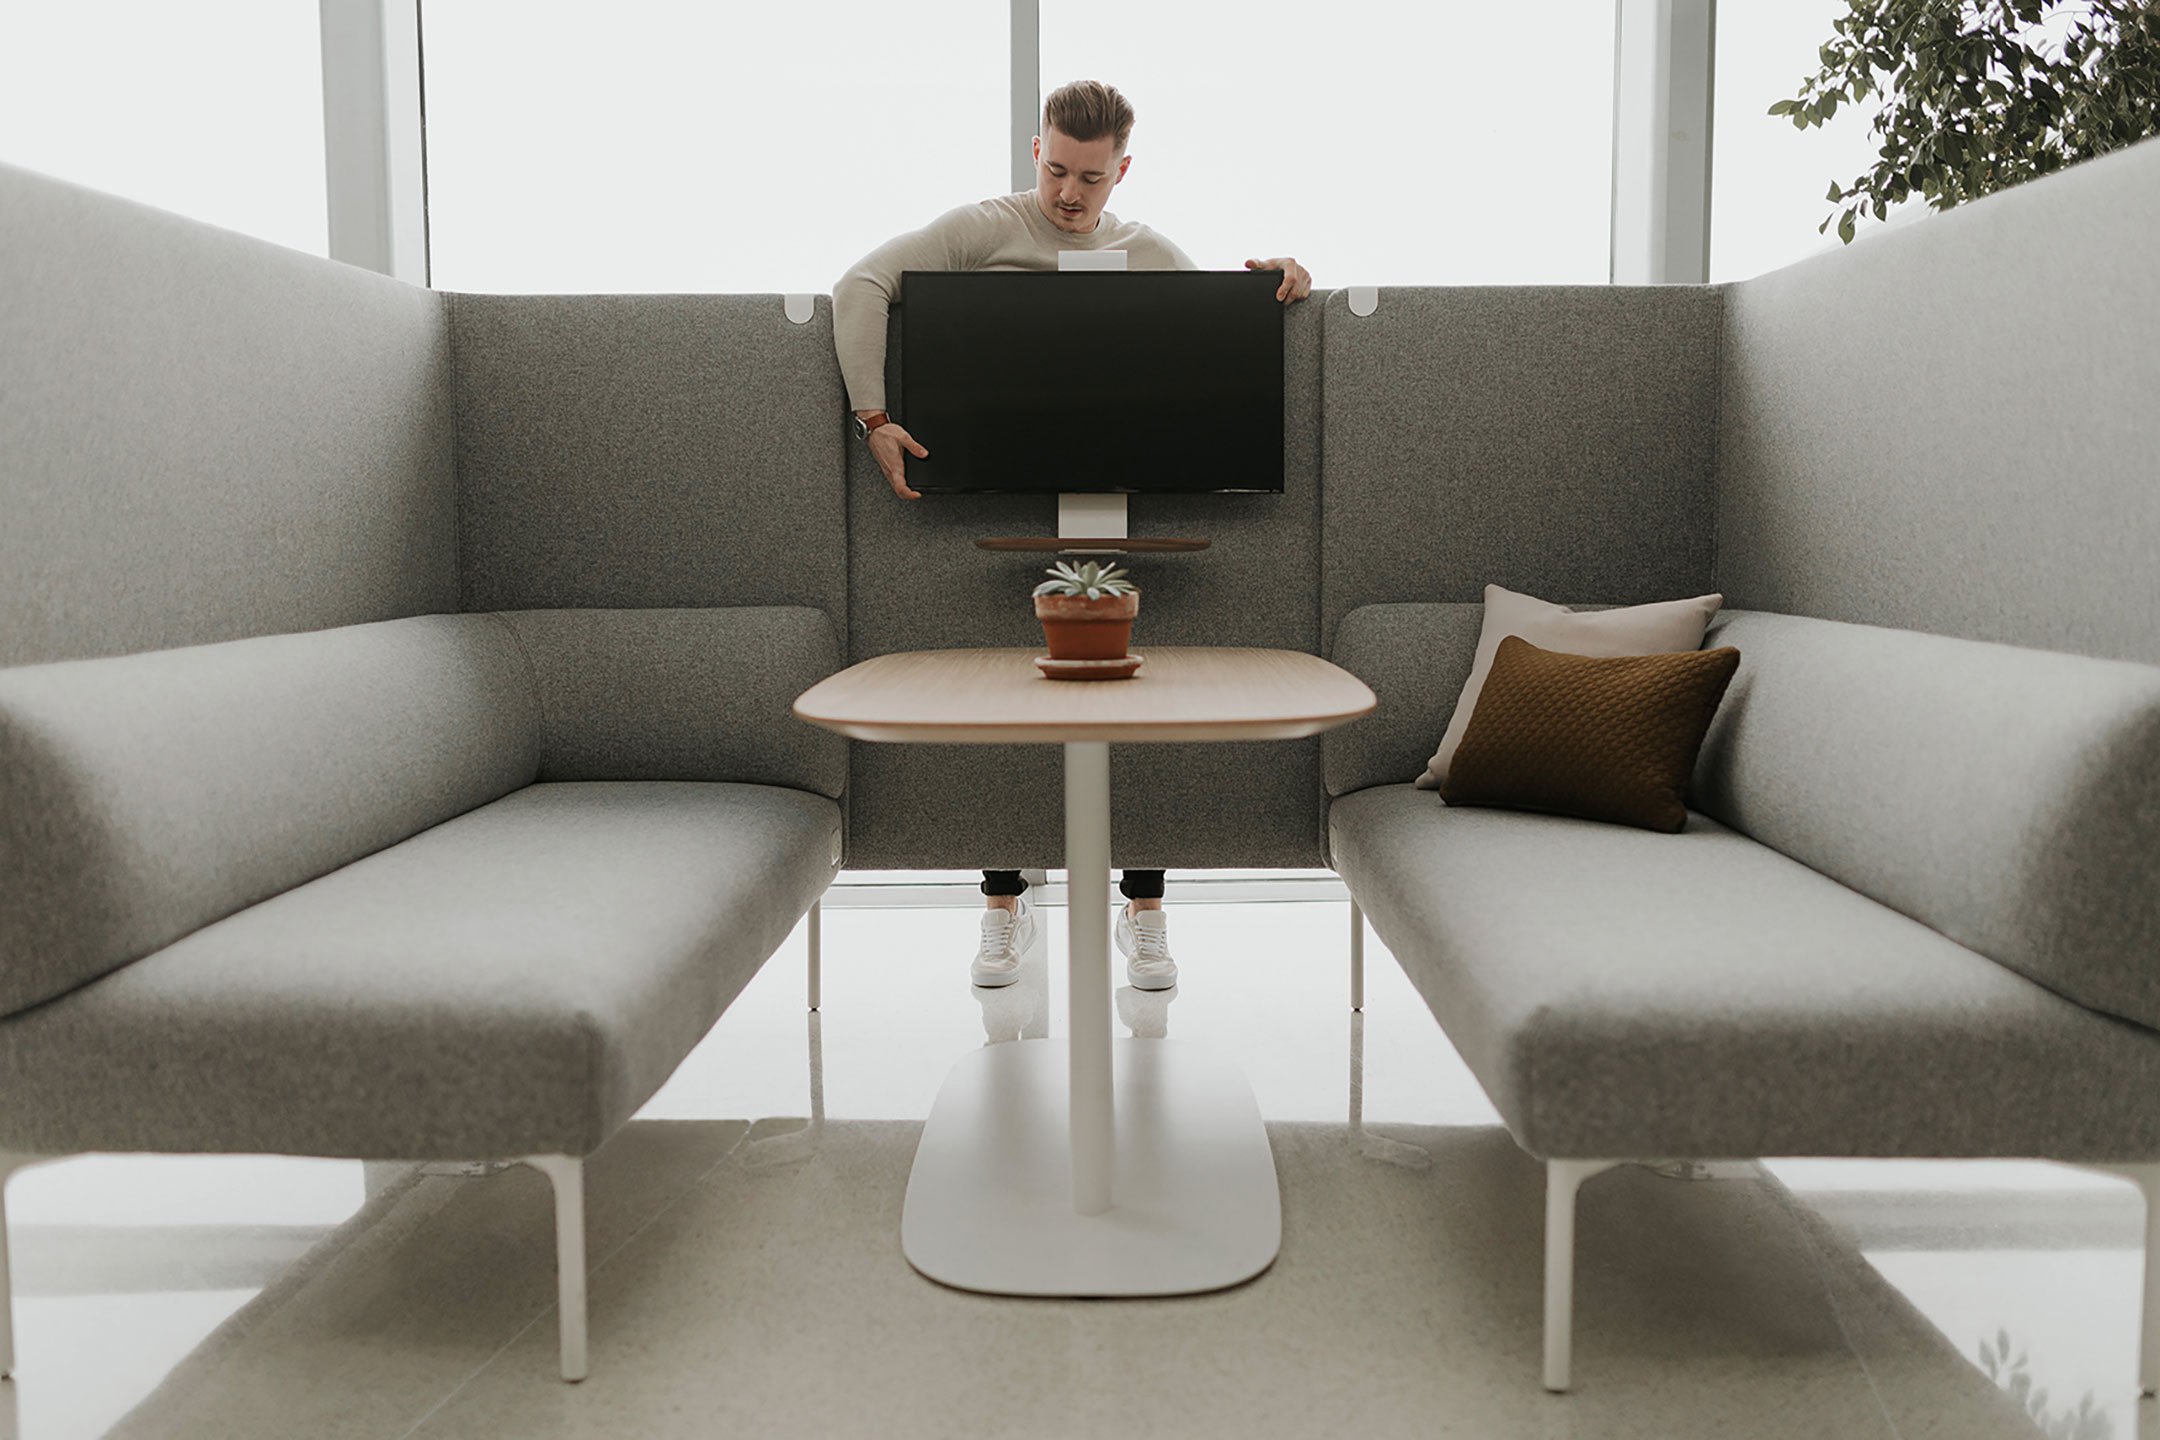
(1623, 994)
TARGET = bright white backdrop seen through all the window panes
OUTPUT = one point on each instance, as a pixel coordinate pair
(694, 146)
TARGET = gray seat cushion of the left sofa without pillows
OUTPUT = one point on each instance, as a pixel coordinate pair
(513, 981)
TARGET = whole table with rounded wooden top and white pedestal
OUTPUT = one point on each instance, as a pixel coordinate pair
(1090, 1167)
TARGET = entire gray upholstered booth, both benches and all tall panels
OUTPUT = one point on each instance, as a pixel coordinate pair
(338, 612)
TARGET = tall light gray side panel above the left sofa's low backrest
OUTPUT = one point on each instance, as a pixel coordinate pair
(206, 435)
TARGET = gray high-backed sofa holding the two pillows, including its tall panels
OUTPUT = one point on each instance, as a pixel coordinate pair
(1917, 910)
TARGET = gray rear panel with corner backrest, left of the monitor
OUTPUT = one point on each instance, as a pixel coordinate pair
(653, 463)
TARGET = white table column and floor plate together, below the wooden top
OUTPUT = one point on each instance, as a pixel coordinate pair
(1092, 1169)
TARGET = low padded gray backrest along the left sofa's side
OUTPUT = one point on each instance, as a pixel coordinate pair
(146, 796)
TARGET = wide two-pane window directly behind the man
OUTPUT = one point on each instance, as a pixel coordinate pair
(753, 150)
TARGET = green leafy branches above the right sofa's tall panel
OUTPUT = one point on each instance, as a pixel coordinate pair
(1980, 96)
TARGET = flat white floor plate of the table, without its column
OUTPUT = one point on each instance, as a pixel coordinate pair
(1193, 1197)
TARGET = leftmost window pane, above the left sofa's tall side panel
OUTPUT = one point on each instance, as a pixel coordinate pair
(211, 109)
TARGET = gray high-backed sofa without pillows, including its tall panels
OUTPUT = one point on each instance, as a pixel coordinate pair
(360, 793)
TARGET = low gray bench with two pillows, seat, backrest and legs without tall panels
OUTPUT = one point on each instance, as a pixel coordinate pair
(1913, 914)
